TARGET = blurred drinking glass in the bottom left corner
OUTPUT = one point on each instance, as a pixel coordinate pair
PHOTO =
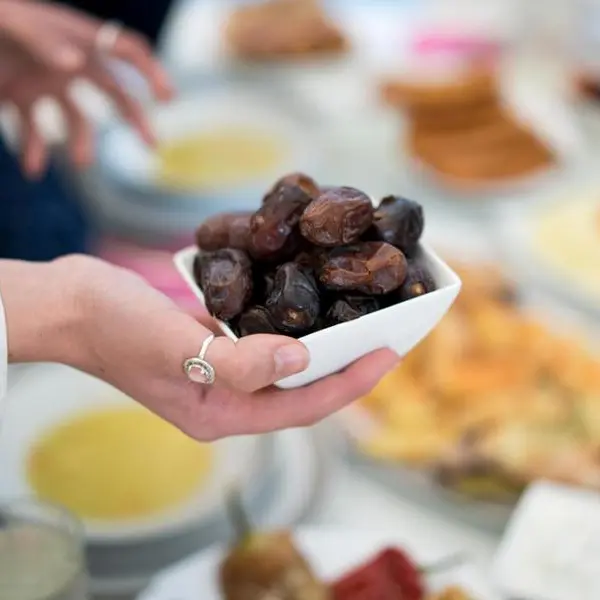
(41, 553)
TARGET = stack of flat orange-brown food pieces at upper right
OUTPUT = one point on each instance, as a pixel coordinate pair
(463, 131)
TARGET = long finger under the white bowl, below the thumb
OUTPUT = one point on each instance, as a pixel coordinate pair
(274, 410)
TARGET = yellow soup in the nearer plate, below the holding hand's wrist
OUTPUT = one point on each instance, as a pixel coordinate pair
(117, 463)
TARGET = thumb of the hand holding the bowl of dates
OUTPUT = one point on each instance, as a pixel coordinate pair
(256, 361)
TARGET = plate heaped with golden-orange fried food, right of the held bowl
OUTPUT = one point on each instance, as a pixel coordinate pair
(514, 430)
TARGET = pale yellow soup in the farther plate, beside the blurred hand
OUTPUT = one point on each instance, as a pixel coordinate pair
(217, 158)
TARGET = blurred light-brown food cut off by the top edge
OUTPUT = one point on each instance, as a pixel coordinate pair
(278, 29)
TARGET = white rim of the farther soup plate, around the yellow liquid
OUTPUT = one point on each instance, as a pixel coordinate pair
(124, 159)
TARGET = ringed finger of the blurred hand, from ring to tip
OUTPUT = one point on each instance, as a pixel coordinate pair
(136, 51)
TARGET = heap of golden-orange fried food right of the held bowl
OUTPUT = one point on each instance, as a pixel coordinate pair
(492, 400)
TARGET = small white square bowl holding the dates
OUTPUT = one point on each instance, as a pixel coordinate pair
(399, 327)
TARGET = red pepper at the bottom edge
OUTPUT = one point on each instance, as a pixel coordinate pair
(391, 575)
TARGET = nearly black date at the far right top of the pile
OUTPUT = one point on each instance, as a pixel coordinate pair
(399, 222)
